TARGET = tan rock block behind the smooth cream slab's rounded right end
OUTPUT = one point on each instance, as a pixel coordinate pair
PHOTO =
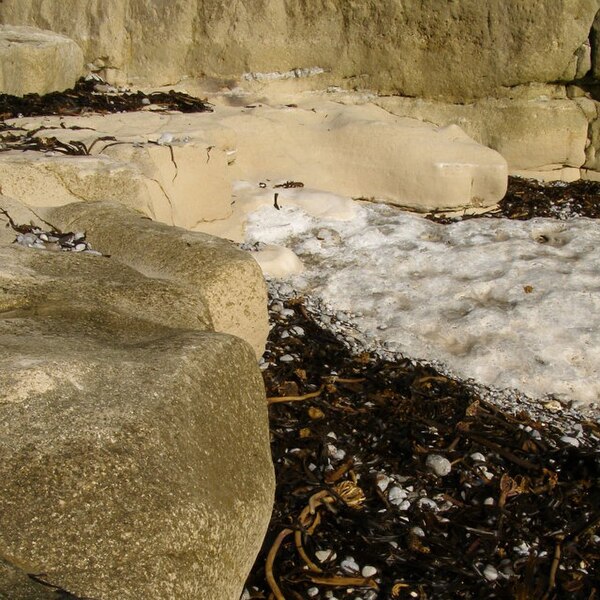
(539, 133)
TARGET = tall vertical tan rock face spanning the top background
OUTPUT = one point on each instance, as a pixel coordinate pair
(455, 50)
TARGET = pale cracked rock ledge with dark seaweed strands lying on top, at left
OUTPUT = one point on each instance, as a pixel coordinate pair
(173, 168)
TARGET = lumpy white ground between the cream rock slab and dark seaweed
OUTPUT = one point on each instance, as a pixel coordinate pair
(510, 304)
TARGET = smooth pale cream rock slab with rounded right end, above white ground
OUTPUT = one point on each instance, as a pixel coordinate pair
(364, 151)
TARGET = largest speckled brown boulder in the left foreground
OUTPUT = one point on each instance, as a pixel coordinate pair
(134, 447)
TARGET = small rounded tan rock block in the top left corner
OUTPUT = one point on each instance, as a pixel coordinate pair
(37, 61)
